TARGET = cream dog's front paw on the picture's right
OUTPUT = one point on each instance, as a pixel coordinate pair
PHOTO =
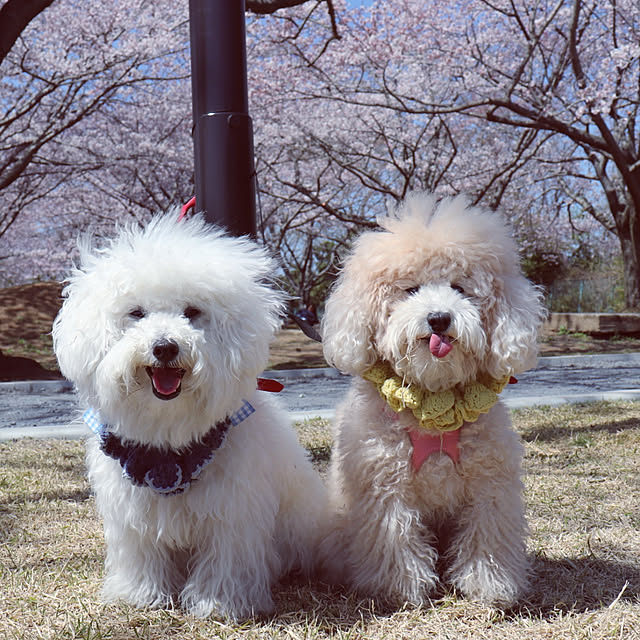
(485, 580)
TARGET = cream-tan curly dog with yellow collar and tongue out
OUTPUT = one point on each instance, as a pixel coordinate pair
(433, 316)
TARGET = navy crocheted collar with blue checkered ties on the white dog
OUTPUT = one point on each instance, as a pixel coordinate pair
(167, 472)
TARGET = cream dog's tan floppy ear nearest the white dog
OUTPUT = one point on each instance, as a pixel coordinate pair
(347, 325)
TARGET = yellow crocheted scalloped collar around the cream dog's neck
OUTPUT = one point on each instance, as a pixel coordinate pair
(440, 410)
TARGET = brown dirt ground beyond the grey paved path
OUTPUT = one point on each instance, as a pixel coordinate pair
(27, 312)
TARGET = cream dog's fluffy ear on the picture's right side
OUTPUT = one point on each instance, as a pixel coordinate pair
(515, 315)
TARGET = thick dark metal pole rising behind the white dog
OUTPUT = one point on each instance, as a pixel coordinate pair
(223, 132)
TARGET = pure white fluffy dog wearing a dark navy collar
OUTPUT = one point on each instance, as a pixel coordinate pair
(207, 496)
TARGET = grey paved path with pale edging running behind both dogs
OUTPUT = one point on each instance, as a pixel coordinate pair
(49, 409)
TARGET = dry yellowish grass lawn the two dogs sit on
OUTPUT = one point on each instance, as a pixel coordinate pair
(582, 478)
